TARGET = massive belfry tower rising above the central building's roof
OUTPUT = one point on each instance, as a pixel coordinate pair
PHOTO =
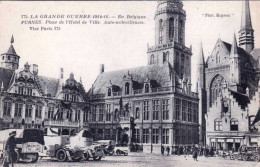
(170, 38)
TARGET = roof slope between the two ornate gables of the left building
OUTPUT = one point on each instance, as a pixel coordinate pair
(49, 86)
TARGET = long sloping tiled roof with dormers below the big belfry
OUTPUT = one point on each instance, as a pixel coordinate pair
(158, 76)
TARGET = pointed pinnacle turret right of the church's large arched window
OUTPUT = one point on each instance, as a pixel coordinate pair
(235, 76)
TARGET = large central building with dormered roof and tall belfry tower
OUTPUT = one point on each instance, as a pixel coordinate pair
(156, 97)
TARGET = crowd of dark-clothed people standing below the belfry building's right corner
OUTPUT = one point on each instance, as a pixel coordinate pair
(188, 150)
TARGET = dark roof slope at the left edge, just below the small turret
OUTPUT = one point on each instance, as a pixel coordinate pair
(5, 77)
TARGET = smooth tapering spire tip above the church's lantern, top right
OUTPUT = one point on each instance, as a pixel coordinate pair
(246, 23)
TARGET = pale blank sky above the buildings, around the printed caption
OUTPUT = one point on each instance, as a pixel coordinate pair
(82, 48)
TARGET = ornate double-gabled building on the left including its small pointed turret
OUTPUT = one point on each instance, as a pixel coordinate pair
(28, 100)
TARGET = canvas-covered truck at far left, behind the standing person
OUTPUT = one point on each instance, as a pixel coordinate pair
(29, 143)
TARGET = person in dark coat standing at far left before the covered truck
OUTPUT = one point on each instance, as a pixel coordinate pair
(10, 150)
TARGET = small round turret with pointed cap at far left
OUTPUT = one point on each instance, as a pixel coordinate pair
(10, 59)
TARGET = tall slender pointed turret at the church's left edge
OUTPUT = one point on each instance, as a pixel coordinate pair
(201, 89)
